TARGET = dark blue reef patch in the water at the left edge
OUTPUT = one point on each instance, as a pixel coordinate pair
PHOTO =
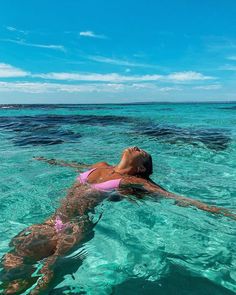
(51, 129)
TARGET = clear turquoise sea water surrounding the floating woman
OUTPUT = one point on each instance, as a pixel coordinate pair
(141, 247)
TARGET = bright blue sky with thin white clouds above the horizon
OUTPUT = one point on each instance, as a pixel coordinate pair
(107, 51)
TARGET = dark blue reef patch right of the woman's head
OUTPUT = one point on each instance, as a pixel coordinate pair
(214, 139)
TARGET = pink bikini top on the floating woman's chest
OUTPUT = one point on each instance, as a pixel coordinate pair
(105, 186)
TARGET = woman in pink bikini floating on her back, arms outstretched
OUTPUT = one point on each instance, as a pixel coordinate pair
(70, 225)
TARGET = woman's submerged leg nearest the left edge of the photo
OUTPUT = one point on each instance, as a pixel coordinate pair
(18, 264)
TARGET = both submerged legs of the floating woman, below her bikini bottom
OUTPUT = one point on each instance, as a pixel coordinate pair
(39, 242)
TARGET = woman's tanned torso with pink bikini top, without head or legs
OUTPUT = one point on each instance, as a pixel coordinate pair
(92, 188)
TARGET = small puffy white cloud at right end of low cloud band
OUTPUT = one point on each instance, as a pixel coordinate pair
(188, 76)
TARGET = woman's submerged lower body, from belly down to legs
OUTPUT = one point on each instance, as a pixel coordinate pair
(49, 240)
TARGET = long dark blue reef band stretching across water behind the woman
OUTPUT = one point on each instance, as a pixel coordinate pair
(55, 129)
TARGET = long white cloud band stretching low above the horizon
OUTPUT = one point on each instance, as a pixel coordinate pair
(97, 83)
